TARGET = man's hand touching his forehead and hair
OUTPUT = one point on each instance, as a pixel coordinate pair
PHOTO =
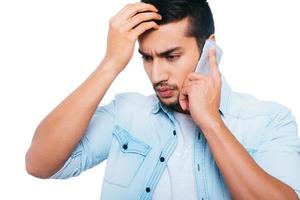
(124, 29)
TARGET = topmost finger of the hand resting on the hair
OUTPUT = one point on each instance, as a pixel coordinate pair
(132, 9)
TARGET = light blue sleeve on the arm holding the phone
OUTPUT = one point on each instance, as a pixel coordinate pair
(279, 151)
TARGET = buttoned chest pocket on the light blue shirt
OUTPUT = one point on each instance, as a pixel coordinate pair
(126, 156)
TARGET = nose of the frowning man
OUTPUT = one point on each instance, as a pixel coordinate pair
(159, 72)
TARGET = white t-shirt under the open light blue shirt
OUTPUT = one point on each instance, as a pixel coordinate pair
(178, 180)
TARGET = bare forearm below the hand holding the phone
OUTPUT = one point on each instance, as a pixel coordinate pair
(244, 178)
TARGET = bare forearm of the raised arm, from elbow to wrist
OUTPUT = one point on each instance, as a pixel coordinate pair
(60, 131)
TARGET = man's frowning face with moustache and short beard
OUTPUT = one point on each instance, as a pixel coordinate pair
(168, 57)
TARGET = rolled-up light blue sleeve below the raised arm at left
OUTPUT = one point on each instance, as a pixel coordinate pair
(94, 146)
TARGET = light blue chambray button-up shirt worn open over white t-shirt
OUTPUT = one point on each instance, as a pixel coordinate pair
(137, 135)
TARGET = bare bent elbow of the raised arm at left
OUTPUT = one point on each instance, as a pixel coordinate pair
(34, 168)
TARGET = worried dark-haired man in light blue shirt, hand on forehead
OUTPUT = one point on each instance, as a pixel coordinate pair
(194, 139)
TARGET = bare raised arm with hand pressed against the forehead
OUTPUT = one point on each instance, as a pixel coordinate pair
(62, 129)
